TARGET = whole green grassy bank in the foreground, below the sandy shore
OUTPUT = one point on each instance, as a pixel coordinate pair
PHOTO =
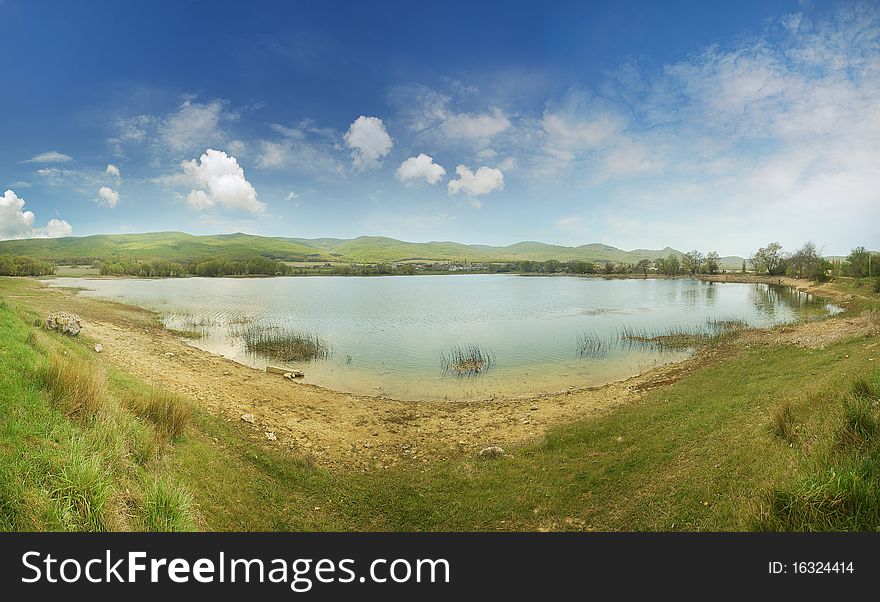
(764, 437)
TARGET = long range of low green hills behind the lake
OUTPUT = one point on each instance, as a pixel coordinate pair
(180, 247)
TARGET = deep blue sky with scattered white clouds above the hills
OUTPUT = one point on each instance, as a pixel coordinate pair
(718, 126)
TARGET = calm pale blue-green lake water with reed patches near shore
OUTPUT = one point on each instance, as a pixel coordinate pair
(387, 333)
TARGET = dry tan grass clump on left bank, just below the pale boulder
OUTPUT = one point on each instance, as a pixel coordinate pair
(78, 387)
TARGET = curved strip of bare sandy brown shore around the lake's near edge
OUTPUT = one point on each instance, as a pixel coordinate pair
(357, 432)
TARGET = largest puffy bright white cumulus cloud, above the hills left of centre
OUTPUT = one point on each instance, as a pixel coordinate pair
(218, 180)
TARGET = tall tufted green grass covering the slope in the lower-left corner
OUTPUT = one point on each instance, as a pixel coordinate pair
(72, 458)
